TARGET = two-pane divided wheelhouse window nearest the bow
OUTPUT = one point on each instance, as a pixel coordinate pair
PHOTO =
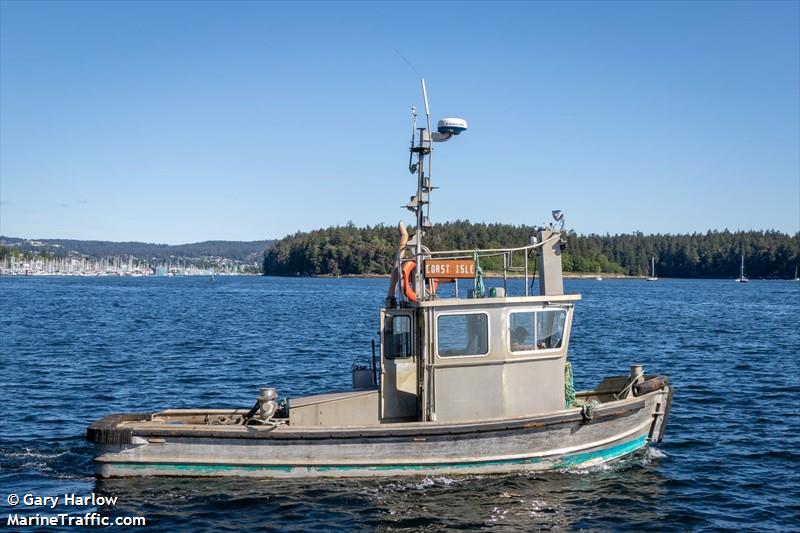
(536, 330)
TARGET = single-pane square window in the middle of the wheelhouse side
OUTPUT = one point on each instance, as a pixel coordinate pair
(464, 334)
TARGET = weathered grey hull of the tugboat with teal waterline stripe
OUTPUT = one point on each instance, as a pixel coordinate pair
(569, 439)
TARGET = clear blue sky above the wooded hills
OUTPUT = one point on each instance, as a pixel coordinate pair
(181, 122)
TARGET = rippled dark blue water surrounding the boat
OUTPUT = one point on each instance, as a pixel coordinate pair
(73, 350)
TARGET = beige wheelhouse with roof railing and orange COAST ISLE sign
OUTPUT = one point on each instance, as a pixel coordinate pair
(493, 356)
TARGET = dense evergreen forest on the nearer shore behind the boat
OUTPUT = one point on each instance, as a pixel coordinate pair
(349, 250)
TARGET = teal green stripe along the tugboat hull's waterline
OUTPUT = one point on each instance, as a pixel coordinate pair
(567, 461)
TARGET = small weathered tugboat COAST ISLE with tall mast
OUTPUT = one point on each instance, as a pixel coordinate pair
(473, 382)
